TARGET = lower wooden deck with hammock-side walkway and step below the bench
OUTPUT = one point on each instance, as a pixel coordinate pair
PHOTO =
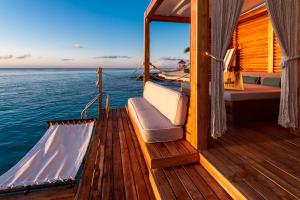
(115, 169)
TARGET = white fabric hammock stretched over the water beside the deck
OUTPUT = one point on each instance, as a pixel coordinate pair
(56, 157)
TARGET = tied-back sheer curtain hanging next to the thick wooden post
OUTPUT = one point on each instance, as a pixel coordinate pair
(225, 15)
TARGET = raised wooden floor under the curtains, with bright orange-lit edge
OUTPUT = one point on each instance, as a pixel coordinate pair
(261, 161)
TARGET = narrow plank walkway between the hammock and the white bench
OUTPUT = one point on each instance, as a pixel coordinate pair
(118, 170)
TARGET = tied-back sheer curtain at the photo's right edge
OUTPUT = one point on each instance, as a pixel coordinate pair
(285, 19)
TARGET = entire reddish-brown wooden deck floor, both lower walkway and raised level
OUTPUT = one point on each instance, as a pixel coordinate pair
(257, 161)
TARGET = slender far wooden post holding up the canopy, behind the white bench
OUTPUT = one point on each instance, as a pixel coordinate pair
(146, 50)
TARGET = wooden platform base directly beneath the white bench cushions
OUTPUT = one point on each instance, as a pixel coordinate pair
(163, 159)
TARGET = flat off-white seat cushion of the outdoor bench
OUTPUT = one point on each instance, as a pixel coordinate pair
(154, 127)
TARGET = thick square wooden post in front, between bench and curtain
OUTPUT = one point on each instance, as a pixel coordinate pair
(200, 72)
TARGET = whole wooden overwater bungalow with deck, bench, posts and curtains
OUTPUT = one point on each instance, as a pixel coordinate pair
(205, 143)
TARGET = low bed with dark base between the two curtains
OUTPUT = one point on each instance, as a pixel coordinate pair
(257, 103)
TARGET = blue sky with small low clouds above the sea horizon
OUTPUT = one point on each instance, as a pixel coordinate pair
(84, 33)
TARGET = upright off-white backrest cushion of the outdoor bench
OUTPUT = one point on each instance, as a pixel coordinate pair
(172, 104)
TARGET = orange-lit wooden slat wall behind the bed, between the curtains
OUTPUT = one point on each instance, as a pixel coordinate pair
(251, 38)
